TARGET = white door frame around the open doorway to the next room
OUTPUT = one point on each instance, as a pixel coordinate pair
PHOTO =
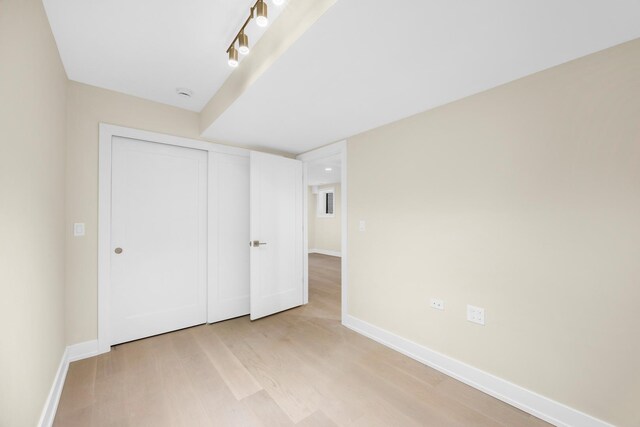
(337, 148)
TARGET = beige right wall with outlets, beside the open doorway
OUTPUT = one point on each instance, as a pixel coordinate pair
(524, 200)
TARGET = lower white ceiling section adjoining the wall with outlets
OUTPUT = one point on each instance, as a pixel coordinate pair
(367, 63)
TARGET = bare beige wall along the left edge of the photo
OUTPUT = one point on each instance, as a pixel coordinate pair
(32, 161)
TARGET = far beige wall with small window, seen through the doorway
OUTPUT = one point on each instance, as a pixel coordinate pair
(325, 233)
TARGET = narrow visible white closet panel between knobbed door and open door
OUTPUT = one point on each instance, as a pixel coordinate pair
(229, 234)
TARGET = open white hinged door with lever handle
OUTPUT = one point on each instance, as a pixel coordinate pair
(276, 227)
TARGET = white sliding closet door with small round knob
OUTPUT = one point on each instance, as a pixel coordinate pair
(158, 239)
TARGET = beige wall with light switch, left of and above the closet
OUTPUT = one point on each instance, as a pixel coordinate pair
(87, 106)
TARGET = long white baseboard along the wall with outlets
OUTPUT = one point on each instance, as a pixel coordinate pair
(542, 407)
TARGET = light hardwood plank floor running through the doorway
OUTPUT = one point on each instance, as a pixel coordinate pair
(300, 367)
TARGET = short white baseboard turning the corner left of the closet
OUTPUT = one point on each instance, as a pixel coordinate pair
(71, 354)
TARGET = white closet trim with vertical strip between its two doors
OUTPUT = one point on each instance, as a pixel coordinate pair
(106, 134)
